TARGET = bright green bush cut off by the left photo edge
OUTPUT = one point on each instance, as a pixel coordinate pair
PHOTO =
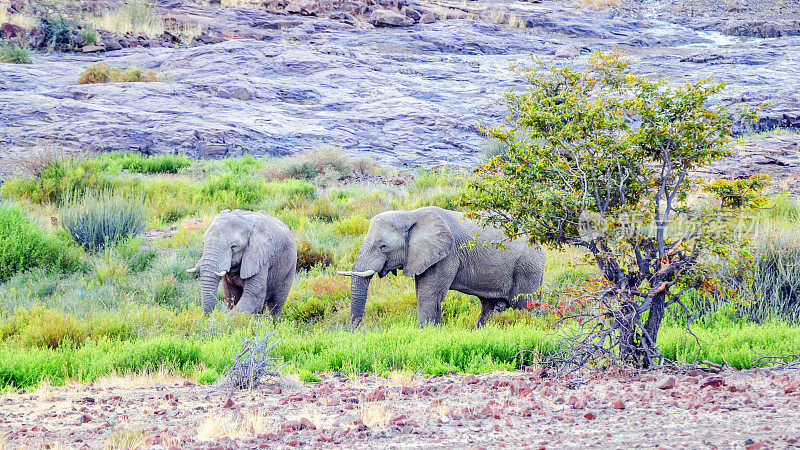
(26, 245)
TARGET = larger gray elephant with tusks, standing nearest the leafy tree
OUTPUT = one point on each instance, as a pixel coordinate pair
(444, 251)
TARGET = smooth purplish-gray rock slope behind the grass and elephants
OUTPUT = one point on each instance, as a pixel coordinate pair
(410, 88)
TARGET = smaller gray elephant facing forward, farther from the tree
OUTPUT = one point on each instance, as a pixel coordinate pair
(254, 254)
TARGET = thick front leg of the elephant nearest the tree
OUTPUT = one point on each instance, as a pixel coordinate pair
(432, 287)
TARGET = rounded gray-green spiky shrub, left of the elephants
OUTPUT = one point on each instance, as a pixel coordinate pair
(103, 218)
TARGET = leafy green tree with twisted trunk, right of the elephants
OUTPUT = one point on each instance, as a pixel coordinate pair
(602, 159)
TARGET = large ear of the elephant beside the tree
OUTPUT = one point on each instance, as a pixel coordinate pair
(429, 241)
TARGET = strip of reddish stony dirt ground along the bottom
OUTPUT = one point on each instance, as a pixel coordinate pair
(753, 409)
